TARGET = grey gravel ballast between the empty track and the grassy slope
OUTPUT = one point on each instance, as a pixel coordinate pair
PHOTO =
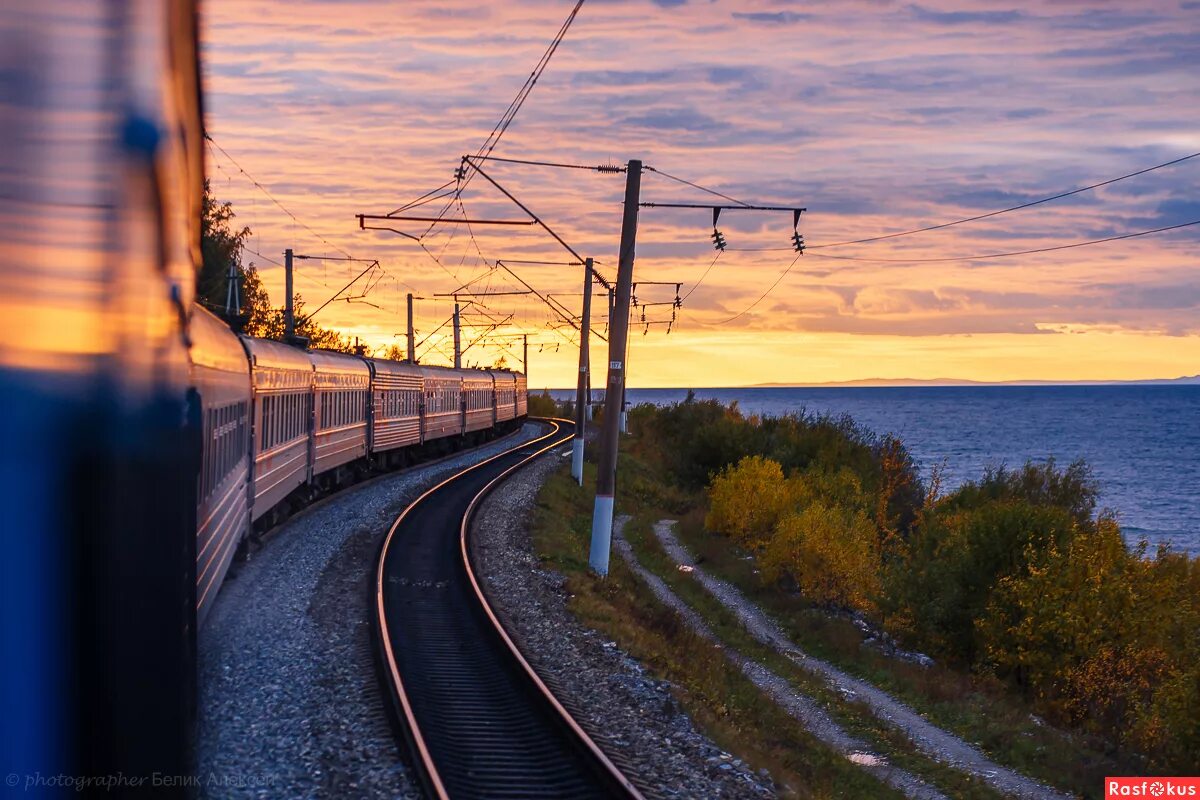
(633, 717)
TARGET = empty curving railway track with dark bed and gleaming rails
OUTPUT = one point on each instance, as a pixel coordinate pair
(478, 720)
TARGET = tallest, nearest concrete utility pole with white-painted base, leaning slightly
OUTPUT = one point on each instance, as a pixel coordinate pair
(619, 338)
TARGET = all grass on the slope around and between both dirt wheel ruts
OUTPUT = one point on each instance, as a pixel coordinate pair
(977, 708)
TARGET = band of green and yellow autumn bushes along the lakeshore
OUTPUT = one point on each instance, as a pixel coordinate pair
(1013, 575)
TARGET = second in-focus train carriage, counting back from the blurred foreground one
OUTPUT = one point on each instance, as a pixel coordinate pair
(283, 422)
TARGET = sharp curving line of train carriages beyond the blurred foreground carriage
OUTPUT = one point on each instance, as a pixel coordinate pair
(281, 424)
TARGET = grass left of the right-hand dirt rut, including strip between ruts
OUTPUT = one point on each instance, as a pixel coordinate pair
(734, 712)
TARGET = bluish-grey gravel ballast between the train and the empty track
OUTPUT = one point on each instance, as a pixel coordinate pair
(290, 701)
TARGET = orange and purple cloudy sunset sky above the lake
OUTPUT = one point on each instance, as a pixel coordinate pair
(878, 117)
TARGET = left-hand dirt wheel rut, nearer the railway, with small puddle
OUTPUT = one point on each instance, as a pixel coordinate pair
(801, 707)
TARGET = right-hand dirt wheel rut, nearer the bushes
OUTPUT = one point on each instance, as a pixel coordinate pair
(932, 741)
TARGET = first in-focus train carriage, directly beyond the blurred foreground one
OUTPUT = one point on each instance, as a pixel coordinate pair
(221, 378)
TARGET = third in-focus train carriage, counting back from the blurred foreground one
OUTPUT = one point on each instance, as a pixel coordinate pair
(341, 390)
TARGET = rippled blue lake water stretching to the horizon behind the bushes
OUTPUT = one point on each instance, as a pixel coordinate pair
(1142, 442)
